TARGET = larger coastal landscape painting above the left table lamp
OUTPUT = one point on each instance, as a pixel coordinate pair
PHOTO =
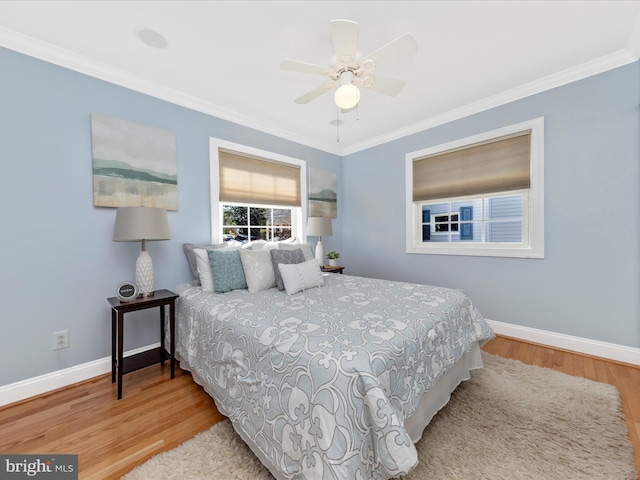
(133, 165)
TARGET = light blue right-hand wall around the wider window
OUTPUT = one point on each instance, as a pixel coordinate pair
(588, 283)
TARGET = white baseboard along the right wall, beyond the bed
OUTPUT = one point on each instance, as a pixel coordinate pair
(595, 348)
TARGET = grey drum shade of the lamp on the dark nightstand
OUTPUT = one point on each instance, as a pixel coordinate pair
(134, 224)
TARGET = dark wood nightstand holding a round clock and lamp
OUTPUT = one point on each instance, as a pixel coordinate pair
(160, 298)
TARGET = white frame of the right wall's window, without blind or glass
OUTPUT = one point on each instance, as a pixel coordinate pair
(532, 207)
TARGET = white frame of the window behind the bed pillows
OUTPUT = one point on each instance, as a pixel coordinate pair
(298, 225)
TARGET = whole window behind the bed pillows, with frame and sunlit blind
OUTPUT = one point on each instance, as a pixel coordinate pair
(255, 195)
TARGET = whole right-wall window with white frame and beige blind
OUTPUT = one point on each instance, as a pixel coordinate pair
(482, 195)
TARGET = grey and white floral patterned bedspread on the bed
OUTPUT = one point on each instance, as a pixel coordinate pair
(322, 381)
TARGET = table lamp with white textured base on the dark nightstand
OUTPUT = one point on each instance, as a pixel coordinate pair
(139, 224)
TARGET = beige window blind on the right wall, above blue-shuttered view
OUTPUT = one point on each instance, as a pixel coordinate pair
(496, 166)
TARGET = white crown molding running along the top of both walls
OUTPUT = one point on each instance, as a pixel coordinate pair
(49, 53)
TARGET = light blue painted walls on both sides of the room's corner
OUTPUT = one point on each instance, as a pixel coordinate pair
(59, 263)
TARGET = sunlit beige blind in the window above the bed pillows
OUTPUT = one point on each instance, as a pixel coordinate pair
(247, 179)
